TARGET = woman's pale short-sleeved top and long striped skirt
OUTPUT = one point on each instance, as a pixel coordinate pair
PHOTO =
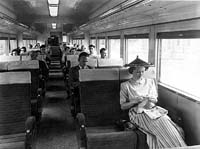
(161, 132)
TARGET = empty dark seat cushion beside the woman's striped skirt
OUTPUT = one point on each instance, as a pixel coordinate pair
(110, 138)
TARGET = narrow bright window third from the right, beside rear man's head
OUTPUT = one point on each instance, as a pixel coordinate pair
(114, 47)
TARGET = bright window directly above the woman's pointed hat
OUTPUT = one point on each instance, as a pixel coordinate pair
(137, 45)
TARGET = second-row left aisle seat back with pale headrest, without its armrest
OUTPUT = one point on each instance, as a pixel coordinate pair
(33, 67)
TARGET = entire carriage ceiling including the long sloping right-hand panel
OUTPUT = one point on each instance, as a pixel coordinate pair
(97, 15)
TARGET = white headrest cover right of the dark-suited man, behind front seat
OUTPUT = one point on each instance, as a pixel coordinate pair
(107, 63)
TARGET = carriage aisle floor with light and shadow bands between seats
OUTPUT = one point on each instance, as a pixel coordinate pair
(57, 128)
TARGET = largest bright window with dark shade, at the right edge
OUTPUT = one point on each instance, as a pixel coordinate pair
(179, 60)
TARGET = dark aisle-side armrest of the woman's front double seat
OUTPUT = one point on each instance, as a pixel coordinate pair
(81, 130)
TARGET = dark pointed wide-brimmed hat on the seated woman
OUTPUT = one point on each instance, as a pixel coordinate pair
(138, 62)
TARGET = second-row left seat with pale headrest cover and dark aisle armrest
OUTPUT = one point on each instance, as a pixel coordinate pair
(37, 82)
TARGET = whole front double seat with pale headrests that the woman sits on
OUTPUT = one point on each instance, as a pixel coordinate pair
(99, 107)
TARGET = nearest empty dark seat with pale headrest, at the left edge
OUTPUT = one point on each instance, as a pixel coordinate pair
(17, 123)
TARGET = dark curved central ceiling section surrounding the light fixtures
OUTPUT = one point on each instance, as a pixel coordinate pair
(72, 13)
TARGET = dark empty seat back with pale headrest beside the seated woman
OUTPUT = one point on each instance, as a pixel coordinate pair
(99, 96)
